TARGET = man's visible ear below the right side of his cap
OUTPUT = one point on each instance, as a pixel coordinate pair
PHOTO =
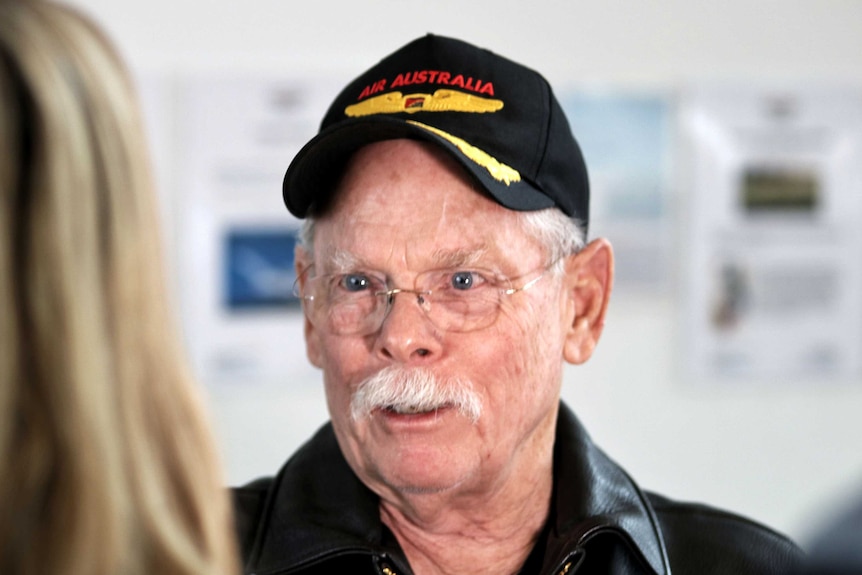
(589, 280)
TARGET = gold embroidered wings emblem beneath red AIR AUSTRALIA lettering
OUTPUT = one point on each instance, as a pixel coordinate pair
(440, 101)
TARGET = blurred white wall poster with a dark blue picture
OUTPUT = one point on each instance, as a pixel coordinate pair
(238, 134)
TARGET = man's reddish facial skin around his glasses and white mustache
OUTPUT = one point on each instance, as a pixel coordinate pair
(400, 210)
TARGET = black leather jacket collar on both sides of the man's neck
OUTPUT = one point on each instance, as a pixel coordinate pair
(317, 507)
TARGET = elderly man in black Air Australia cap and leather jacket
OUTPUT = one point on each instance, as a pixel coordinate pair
(445, 281)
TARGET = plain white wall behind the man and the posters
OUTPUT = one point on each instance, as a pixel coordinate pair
(778, 452)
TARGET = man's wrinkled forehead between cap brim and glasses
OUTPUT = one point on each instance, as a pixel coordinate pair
(402, 201)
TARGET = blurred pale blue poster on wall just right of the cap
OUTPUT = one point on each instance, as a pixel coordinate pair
(626, 142)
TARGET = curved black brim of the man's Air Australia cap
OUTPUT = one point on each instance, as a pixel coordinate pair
(314, 172)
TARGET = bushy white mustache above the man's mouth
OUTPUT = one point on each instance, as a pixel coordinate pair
(415, 390)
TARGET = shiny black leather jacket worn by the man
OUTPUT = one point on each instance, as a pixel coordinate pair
(315, 516)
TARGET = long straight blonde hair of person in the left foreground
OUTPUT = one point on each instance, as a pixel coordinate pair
(107, 464)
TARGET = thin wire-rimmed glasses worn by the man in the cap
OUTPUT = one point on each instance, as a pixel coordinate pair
(457, 300)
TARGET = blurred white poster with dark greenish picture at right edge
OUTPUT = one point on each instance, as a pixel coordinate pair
(773, 257)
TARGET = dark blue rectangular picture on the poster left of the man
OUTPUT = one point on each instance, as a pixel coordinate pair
(259, 272)
